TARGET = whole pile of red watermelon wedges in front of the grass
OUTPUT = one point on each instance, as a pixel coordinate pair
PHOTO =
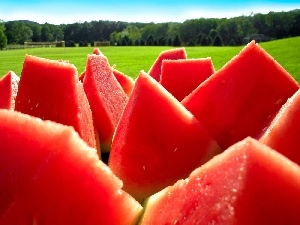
(180, 144)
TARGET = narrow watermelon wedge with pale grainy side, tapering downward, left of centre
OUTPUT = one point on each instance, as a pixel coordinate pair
(106, 97)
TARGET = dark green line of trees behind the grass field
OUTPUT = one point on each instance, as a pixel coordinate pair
(201, 31)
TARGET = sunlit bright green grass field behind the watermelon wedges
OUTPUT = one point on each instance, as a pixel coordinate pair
(130, 60)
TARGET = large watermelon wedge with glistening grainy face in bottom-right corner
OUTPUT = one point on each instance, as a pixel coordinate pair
(247, 184)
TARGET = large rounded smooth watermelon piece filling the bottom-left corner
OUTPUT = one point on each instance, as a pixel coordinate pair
(49, 175)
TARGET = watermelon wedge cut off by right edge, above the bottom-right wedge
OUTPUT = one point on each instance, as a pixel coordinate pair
(283, 133)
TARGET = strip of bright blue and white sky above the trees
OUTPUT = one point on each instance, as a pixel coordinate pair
(58, 12)
